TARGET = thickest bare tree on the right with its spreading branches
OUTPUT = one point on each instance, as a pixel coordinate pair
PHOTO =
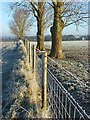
(65, 14)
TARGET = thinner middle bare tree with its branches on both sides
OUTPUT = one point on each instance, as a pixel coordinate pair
(42, 13)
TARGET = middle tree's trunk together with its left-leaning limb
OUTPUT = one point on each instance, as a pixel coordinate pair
(39, 11)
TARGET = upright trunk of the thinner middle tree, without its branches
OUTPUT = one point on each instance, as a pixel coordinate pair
(40, 27)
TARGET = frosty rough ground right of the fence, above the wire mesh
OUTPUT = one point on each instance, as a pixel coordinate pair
(76, 62)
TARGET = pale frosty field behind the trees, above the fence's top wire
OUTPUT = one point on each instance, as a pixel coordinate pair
(76, 57)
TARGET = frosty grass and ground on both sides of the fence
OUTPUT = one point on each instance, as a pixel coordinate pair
(21, 94)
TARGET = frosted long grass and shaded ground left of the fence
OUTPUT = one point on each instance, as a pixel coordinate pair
(21, 94)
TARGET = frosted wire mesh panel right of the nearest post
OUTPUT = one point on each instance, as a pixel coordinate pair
(62, 103)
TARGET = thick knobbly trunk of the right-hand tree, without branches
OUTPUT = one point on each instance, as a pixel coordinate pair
(56, 32)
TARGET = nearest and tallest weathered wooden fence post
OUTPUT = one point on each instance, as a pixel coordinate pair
(44, 80)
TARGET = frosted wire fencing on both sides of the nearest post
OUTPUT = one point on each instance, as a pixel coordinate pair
(61, 103)
